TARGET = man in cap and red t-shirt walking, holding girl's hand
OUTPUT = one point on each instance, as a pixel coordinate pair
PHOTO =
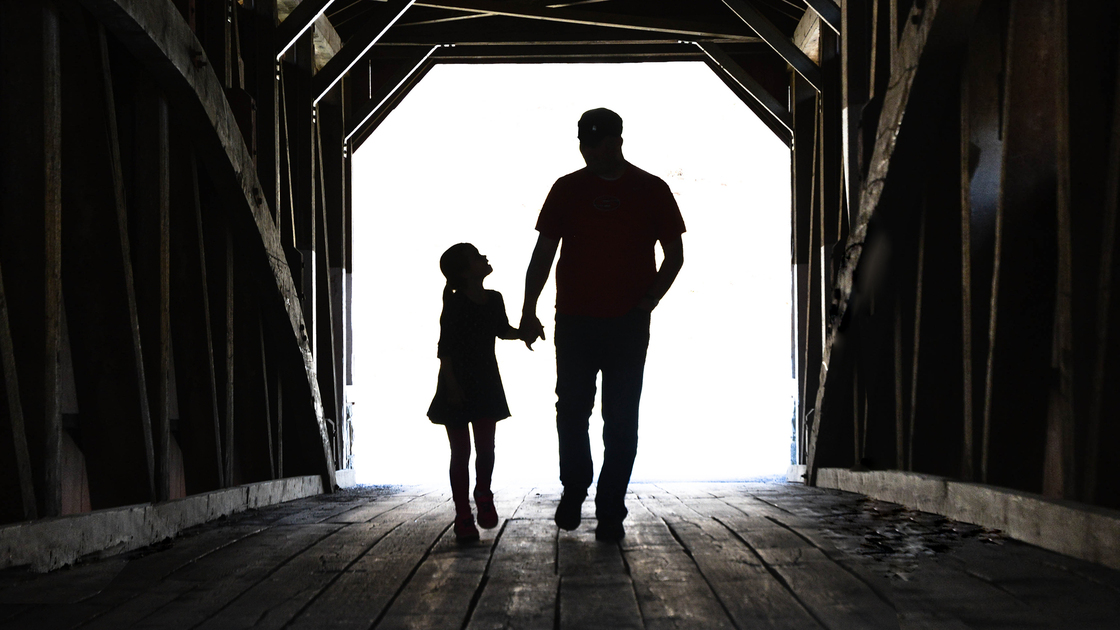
(609, 216)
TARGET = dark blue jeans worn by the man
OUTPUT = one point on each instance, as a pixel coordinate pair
(586, 347)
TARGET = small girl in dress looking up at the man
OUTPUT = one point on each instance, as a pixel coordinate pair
(470, 390)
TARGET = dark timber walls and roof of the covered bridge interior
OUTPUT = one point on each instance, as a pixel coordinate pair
(175, 249)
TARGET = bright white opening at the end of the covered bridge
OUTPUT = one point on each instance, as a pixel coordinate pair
(470, 156)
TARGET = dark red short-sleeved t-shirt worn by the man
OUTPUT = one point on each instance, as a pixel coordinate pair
(609, 230)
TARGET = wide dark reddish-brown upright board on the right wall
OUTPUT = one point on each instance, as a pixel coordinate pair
(1025, 276)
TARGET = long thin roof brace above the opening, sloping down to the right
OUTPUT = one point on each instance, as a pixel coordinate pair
(679, 29)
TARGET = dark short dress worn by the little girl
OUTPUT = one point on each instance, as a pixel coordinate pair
(466, 337)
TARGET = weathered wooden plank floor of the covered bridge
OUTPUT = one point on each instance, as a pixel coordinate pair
(704, 557)
